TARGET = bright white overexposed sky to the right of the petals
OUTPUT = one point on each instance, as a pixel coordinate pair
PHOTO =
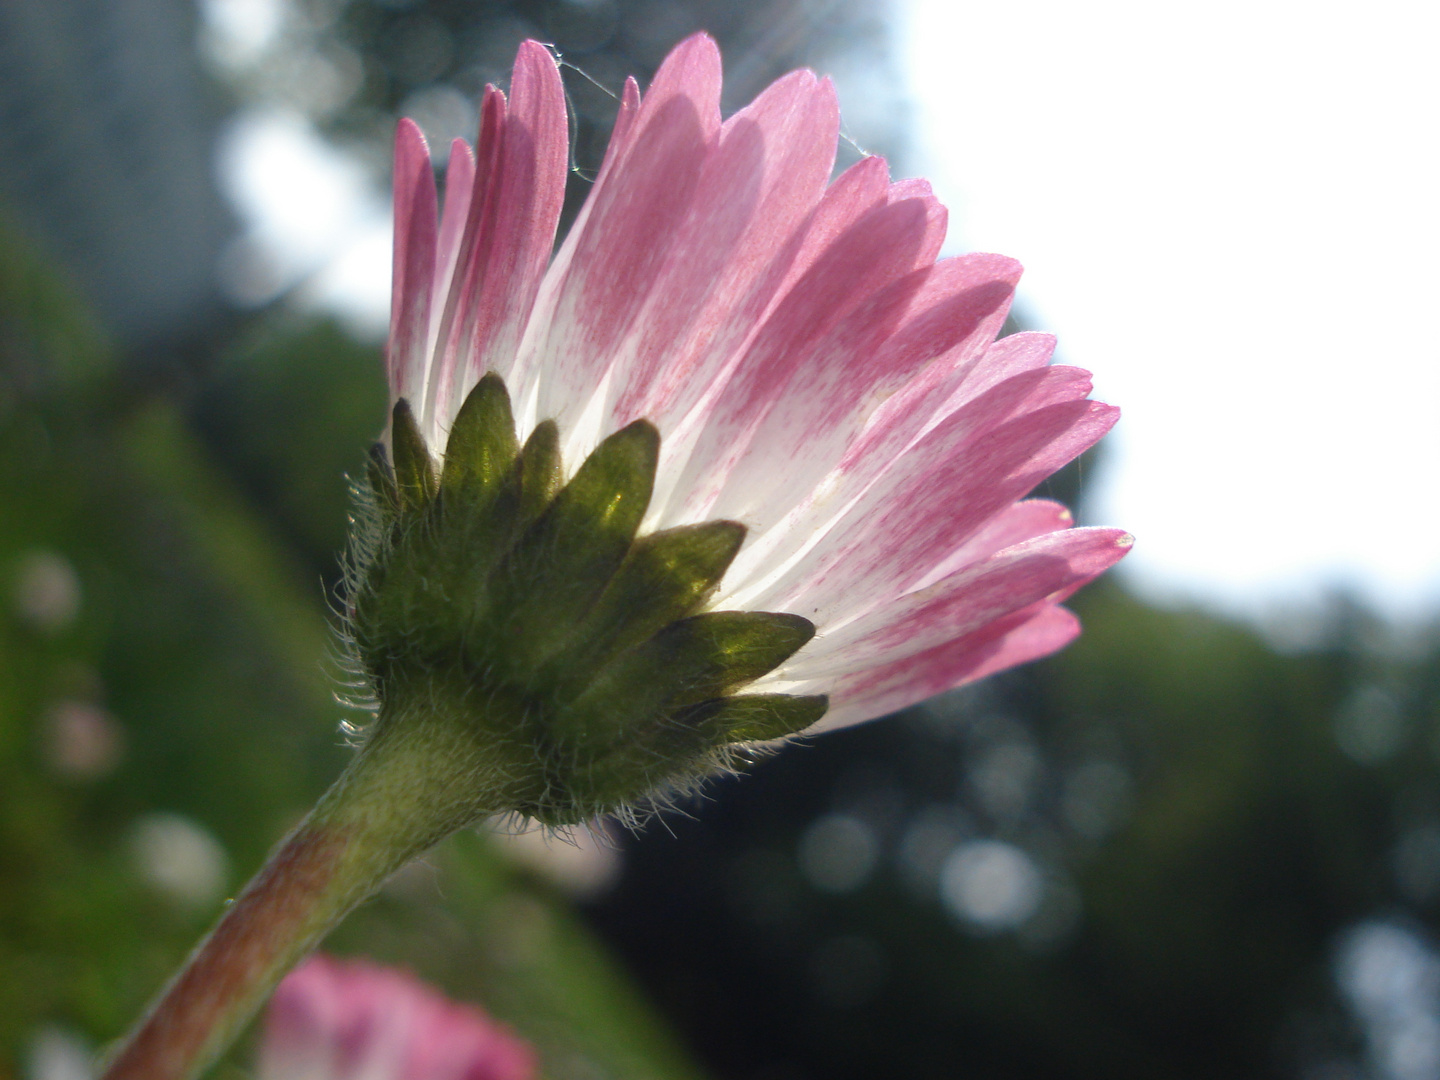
(1229, 214)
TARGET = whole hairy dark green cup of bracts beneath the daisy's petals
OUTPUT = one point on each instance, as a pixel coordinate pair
(529, 614)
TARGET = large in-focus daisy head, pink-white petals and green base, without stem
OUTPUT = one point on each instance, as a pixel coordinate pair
(742, 460)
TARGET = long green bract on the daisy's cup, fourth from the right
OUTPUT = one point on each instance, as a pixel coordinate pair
(564, 562)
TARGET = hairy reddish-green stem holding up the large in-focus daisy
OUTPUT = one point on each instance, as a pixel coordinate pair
(415, 781)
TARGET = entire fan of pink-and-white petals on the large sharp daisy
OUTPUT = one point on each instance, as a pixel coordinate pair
(814, 371)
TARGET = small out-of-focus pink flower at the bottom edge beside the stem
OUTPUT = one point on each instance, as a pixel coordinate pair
(351, 1020)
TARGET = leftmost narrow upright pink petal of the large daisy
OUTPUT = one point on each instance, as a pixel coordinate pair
(414, 267)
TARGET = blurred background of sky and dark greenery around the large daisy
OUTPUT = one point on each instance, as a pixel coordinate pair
(1203, 842)
